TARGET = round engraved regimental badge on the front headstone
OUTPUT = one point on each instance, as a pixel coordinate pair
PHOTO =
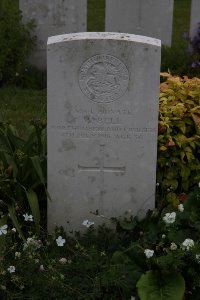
(103, 78)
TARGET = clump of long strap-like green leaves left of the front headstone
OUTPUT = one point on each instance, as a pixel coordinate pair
(22, 170)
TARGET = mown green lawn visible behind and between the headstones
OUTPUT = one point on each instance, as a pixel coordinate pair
(20, 105)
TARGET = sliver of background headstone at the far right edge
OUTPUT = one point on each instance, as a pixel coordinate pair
(194, 17)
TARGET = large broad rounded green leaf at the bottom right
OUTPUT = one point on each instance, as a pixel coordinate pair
(155, 286)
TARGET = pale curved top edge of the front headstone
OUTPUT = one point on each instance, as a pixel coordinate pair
(103, 36)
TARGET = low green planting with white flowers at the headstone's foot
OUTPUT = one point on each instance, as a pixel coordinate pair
(157, 256)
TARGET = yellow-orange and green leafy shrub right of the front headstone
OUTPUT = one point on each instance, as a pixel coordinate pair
(179, 135)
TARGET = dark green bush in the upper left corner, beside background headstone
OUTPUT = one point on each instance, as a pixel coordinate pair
(16, 43)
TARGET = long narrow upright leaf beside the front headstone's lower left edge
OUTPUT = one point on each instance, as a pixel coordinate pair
(34, 205)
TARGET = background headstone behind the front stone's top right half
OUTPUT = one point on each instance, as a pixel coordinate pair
(144, 17)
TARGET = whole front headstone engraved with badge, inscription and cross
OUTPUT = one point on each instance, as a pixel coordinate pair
(103, 93)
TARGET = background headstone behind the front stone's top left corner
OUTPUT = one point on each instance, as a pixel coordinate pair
(52, 17)
